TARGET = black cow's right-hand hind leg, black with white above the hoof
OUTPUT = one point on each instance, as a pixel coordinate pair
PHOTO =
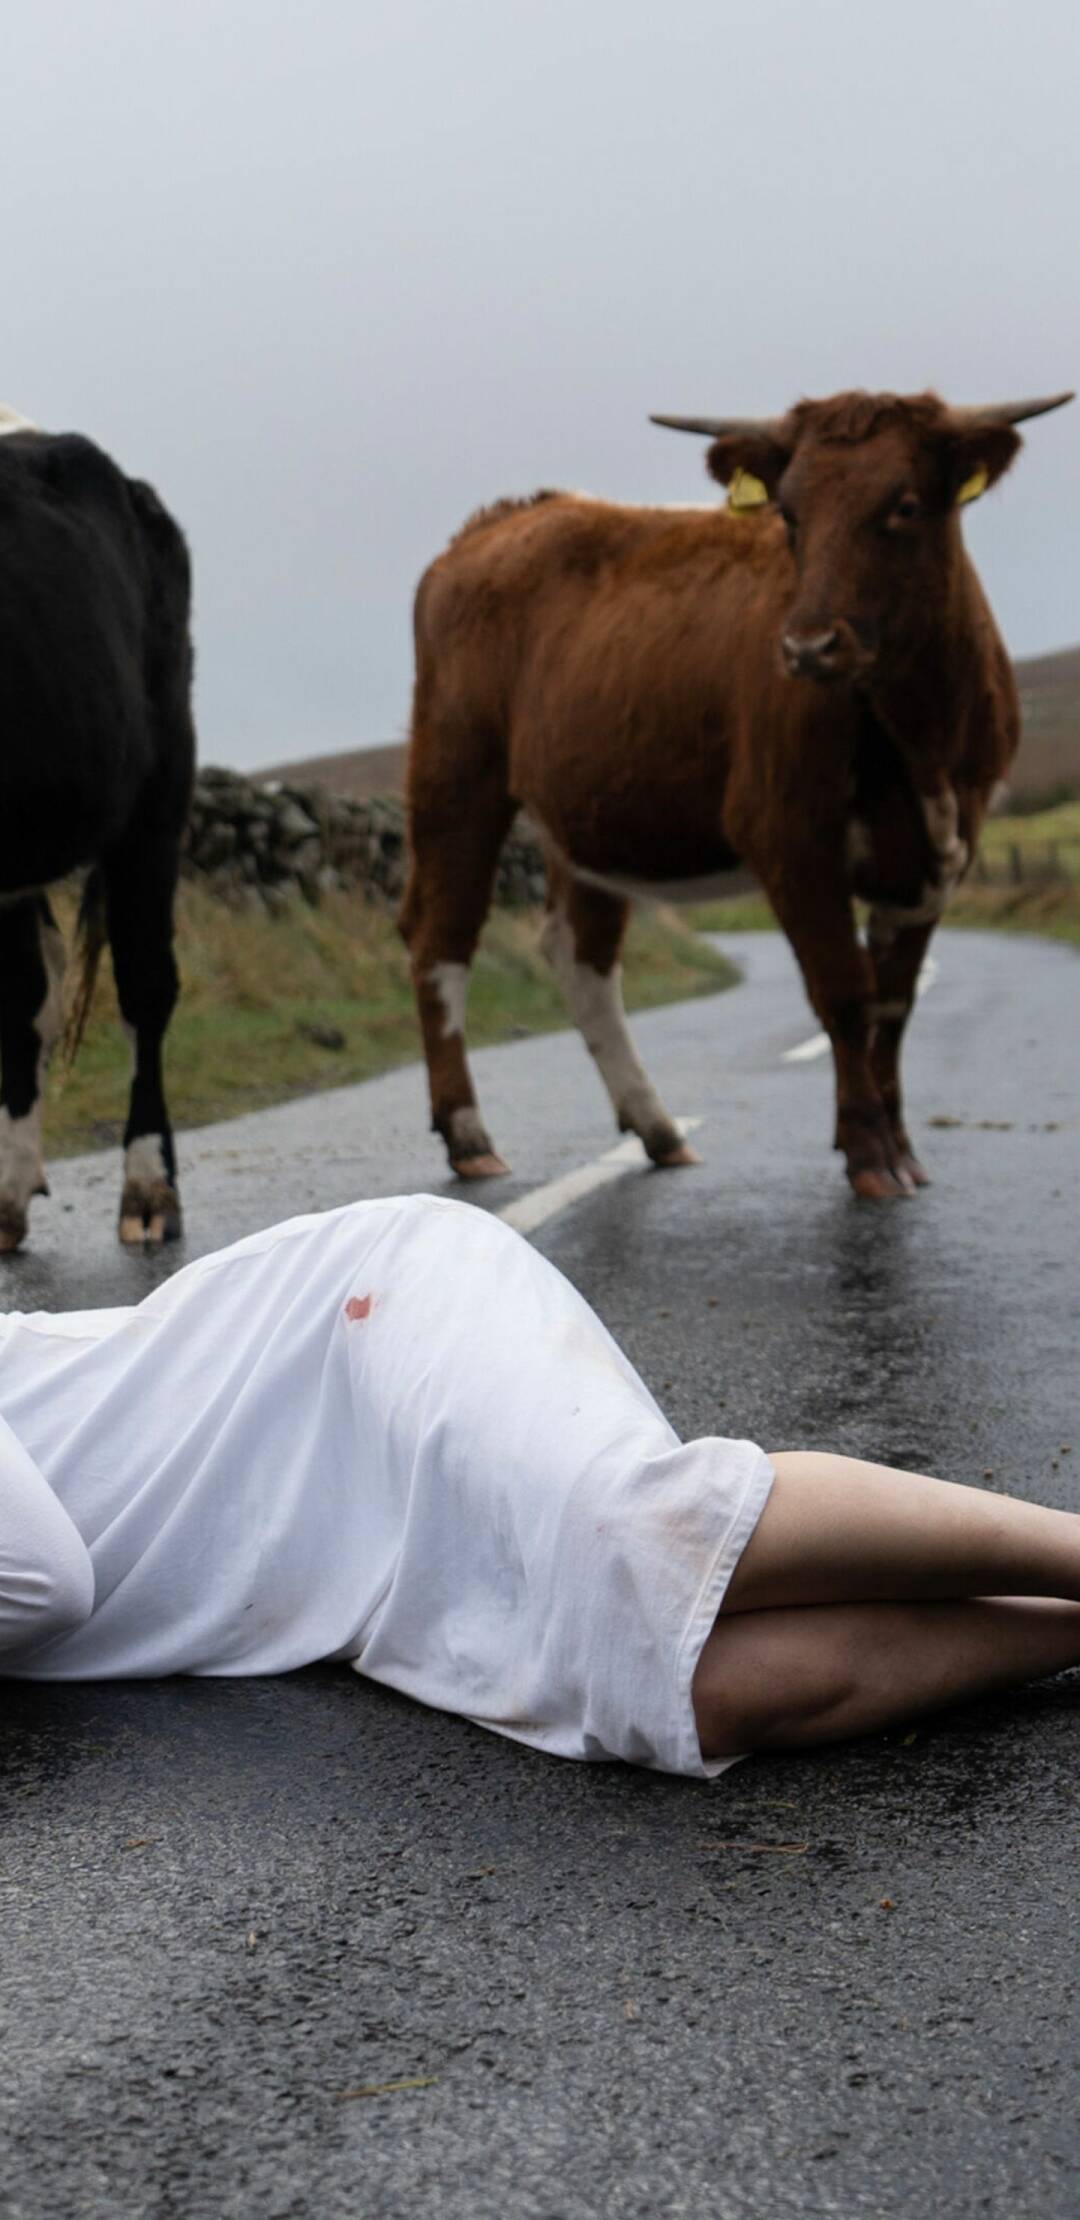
(139, 891)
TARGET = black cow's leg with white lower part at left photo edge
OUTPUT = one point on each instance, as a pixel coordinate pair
(32, 971)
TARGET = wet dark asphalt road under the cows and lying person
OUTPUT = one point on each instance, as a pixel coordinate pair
(230, 1906)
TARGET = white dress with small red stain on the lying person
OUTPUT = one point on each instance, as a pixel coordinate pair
(390, 1435)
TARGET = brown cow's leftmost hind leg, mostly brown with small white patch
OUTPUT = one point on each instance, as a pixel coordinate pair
(454, 854)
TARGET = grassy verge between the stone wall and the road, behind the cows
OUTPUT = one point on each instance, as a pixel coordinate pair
(252, 985)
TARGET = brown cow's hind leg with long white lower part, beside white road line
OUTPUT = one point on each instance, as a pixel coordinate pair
(581, 938)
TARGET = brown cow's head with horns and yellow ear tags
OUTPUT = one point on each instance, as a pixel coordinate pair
(870, 487)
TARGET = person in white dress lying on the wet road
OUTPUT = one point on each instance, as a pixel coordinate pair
(394, 1435)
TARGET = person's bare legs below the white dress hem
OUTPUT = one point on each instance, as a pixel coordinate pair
(868, 1595)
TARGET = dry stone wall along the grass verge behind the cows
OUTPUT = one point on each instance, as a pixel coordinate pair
(266, 842)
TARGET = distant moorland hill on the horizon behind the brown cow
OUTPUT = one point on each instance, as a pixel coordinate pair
(1048, 767)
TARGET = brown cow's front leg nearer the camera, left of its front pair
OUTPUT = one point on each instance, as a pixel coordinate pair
(841, 987)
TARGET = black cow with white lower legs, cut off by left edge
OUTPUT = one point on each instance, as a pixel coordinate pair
(97, 763)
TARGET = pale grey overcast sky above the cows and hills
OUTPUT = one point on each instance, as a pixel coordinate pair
(332, 274)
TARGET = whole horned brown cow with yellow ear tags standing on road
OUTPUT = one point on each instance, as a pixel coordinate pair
(808, 680)
